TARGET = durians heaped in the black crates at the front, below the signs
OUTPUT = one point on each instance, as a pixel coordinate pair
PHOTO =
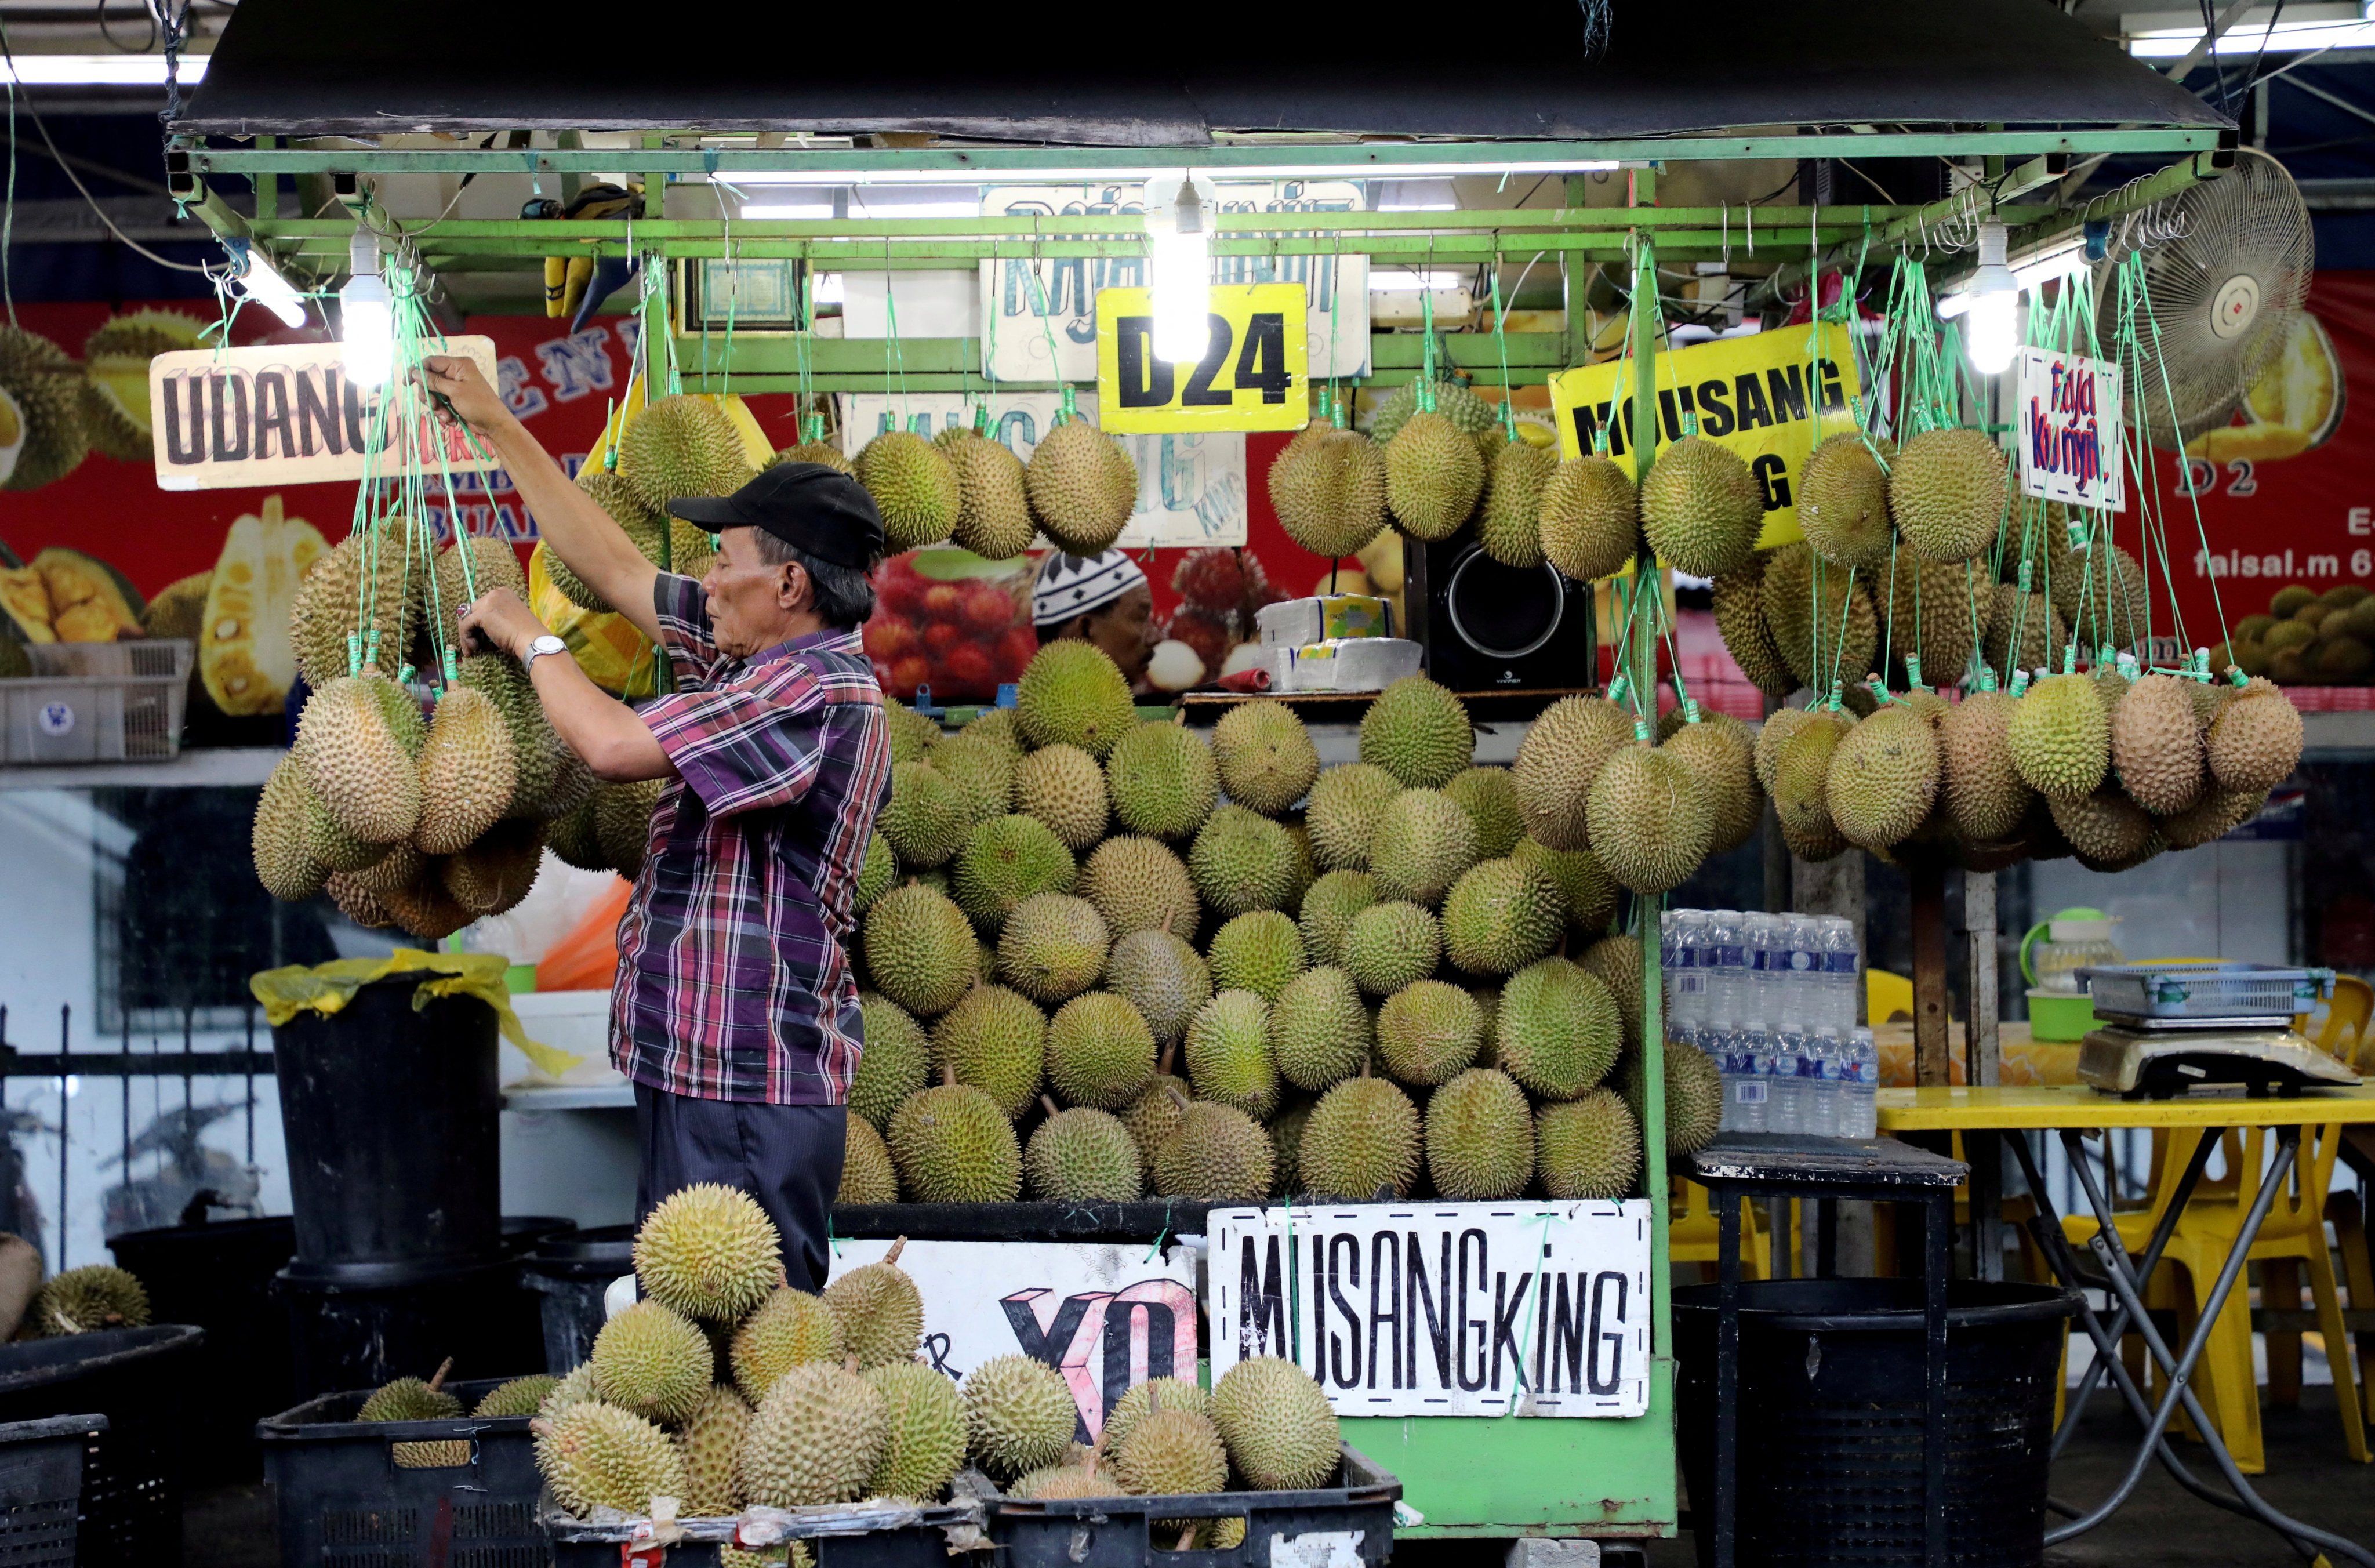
(726, 1389)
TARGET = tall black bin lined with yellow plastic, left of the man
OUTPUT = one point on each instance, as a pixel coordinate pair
(393, 1137)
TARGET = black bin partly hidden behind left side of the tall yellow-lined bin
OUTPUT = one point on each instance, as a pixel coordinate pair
(220, 1277)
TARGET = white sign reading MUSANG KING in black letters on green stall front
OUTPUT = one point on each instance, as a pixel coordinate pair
(1440, 1308)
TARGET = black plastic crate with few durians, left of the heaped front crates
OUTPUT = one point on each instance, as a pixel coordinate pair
(346, 1503)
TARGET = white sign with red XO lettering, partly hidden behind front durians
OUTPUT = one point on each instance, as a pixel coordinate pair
(1101, 1315)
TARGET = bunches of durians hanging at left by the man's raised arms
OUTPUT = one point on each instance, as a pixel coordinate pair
(431, 821)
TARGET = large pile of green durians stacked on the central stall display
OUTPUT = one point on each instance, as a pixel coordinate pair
(1110, 956)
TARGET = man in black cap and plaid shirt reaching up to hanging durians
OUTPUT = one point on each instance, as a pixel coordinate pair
(735, 1011)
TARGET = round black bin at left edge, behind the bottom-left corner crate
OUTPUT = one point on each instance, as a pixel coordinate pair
(132, 1472)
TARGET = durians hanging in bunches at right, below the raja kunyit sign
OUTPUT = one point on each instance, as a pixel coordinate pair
(2110, 766)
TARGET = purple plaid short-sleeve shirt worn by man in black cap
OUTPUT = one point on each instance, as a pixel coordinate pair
(733, 959)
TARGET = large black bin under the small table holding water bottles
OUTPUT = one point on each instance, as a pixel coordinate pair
(1832, 1420)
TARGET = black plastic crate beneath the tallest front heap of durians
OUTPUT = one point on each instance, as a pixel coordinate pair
(844, 1536)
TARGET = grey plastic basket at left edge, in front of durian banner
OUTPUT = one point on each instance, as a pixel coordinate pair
(96, 702)
